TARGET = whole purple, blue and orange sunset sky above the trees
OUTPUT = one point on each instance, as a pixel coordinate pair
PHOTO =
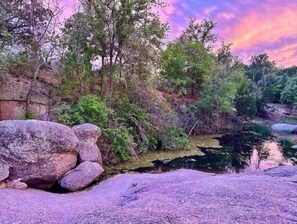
(253, 26)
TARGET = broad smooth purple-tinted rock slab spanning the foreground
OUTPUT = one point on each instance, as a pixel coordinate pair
(179, 197)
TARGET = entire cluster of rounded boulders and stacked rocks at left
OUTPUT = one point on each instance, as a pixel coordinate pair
(38, 153)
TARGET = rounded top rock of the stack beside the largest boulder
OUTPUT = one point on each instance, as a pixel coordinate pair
(87, 132)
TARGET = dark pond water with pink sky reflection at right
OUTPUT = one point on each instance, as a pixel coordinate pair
(243, 152)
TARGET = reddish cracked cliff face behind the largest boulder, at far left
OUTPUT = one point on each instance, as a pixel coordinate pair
(14, 88)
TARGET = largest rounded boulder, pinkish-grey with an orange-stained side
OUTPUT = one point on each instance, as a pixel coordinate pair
(37, 152)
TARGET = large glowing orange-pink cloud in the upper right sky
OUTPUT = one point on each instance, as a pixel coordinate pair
(264, 28)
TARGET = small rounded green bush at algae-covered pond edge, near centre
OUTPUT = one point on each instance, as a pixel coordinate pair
(174, 138)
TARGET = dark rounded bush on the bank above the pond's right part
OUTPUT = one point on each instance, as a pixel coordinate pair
(246, 106)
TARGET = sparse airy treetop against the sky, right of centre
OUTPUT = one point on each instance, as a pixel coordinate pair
(200, 32)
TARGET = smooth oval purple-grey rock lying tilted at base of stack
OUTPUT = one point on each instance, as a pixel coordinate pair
(81, 176)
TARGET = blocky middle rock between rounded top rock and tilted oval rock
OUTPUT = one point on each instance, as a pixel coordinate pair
(89, 152)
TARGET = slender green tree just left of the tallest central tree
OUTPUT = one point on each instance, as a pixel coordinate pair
(78, 52)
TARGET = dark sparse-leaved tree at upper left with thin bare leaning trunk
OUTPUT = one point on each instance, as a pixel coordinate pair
(31, 28)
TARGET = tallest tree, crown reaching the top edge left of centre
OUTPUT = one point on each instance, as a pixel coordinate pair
(117, 22)
